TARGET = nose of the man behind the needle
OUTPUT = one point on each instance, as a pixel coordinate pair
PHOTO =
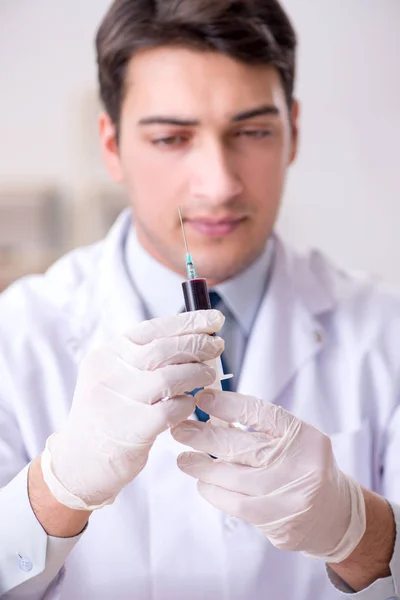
(214, 178)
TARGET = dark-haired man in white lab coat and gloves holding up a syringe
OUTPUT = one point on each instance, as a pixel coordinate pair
(199, 112)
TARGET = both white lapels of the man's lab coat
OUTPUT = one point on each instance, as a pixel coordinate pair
(287, 331)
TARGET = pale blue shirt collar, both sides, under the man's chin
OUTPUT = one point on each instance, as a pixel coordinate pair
(161, 289)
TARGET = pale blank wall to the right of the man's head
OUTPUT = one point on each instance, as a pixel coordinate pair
(343, 193)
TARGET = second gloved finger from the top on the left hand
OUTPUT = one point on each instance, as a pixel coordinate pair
(190, 348)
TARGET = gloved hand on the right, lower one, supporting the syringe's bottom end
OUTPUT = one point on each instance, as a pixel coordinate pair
(283, 477)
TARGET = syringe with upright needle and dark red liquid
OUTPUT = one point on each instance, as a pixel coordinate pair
(196, 296)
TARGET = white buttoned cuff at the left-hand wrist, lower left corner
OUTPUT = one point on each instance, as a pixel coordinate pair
(29, 559)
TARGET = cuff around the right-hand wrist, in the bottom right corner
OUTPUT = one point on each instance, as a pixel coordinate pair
(387, 588)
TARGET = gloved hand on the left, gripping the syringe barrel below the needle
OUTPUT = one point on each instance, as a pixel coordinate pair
(119, 405)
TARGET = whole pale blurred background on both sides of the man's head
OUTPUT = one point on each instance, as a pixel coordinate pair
(342, 194)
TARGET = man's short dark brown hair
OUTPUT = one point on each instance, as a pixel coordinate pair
(252, 31)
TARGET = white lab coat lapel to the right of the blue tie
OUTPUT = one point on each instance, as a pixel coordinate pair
(286, 333)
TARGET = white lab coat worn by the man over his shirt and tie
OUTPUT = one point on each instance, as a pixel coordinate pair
(324, 346)
